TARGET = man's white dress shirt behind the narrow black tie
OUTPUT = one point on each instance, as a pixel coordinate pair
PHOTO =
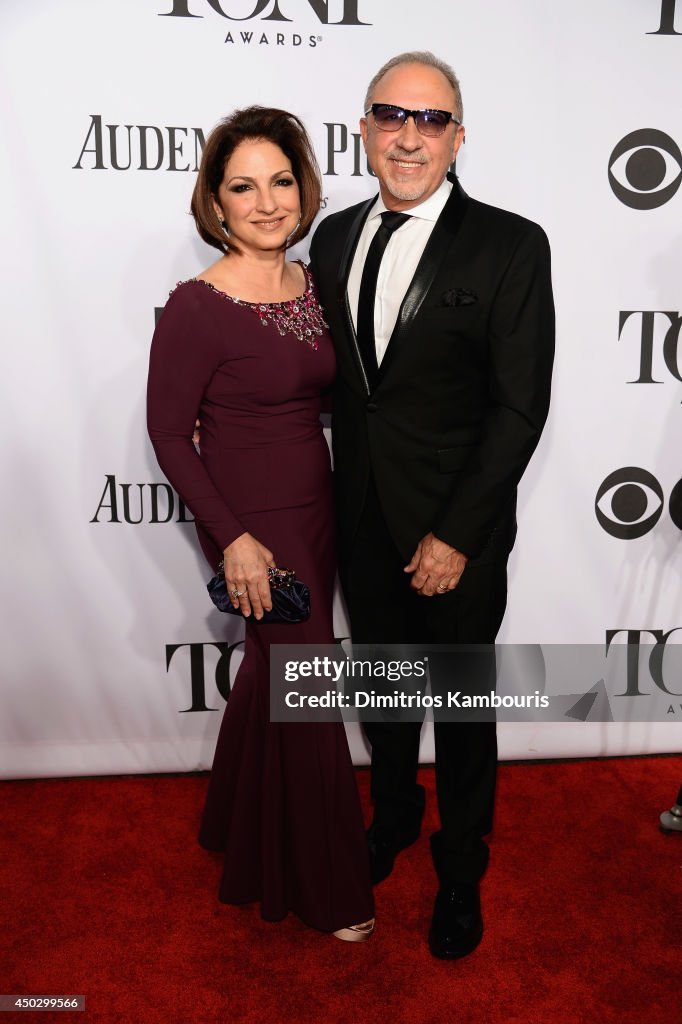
(399, 265)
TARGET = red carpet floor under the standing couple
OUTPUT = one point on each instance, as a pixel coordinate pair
(105, 892)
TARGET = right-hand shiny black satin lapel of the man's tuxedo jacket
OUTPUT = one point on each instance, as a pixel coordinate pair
(440, 242)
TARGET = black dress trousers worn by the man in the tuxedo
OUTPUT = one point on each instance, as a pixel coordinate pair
(383, 609)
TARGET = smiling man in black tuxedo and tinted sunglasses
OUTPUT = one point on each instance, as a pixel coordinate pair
(444, 328)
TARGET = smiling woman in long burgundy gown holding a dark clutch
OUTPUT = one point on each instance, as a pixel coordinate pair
(244, 348)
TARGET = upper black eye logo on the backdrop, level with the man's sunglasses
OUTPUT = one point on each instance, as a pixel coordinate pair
(646, 169)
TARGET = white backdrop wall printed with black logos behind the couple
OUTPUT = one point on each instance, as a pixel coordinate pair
(113, 658)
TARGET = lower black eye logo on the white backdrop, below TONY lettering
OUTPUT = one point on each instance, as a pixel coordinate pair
(630, 502)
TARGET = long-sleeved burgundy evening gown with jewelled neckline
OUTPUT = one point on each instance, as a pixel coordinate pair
(282, 800)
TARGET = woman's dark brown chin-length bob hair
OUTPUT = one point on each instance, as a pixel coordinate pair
(252, 123)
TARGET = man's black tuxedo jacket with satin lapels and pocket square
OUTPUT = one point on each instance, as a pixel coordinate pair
(448, 426)
